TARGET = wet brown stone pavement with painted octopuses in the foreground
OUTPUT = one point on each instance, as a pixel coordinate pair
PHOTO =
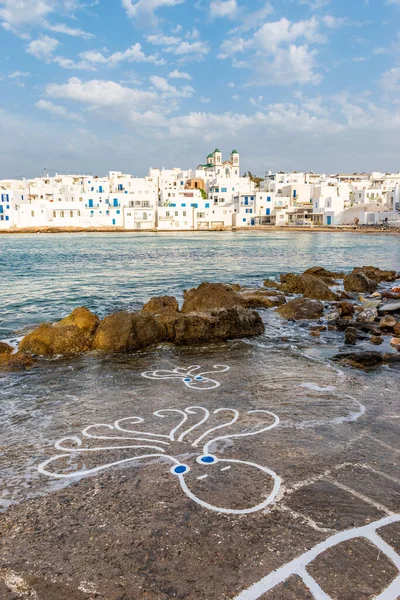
(124, 525)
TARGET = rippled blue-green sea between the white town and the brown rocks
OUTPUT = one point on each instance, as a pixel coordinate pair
(44, 277)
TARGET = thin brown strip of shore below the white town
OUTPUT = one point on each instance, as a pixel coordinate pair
(266, 228)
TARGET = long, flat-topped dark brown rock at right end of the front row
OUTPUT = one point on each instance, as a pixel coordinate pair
(217, 325)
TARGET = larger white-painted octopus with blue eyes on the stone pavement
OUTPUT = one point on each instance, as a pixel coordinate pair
(224, 485)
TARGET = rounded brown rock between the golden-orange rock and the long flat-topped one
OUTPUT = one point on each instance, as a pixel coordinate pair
(126, 332)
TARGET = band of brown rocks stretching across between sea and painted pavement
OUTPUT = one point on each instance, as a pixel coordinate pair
(364, 304)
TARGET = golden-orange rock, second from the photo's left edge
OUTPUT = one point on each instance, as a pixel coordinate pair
(53, 340)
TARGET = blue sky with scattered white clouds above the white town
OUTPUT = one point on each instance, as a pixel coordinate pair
(93, 86)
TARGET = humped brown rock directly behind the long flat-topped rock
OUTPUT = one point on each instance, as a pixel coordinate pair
(211, 296)
